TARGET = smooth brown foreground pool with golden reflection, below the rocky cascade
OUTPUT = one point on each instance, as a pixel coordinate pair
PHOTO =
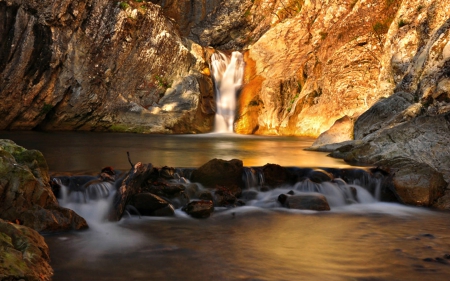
(262, 246)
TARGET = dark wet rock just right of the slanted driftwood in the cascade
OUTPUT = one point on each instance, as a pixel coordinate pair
(151, 205)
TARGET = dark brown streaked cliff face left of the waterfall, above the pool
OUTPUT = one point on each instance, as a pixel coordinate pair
(100, 65)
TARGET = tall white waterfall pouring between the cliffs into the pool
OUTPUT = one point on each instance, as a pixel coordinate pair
(227, 73)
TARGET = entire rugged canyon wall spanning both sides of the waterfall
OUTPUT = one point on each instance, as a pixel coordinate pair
(143, 66)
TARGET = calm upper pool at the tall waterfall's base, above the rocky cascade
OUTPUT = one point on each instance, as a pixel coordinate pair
(81, 151)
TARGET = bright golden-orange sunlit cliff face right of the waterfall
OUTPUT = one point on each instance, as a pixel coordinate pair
(337, 58)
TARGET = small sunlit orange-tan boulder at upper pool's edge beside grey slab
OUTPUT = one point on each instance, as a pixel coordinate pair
(342, 130)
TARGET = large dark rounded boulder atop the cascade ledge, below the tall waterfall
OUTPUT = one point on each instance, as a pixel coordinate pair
(220, 172)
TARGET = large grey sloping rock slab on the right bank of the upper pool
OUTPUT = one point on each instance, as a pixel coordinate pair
(420, 143)
